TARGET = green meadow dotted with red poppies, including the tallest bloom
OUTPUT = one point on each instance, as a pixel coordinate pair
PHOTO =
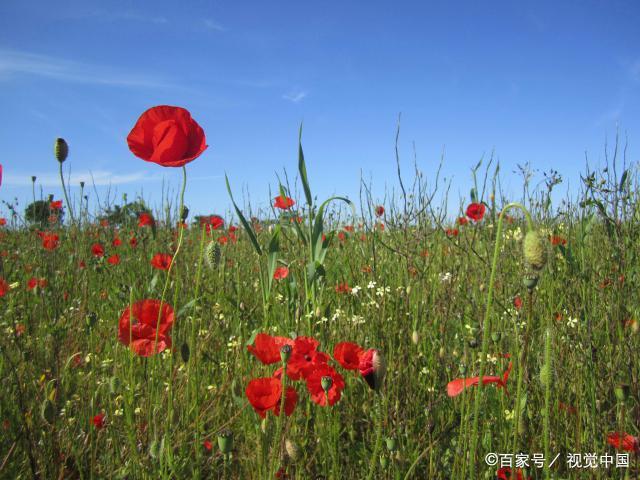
(315, 341)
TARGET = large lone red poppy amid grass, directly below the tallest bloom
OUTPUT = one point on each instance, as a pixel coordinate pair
(140, 334)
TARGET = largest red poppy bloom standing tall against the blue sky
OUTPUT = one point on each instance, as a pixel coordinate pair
(167, 136)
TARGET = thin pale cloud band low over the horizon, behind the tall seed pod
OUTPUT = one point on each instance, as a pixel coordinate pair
(99, 177)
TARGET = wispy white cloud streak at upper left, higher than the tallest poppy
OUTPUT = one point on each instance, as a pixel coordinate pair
(13, 62)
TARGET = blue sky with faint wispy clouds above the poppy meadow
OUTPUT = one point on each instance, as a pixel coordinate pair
(538, 82)
